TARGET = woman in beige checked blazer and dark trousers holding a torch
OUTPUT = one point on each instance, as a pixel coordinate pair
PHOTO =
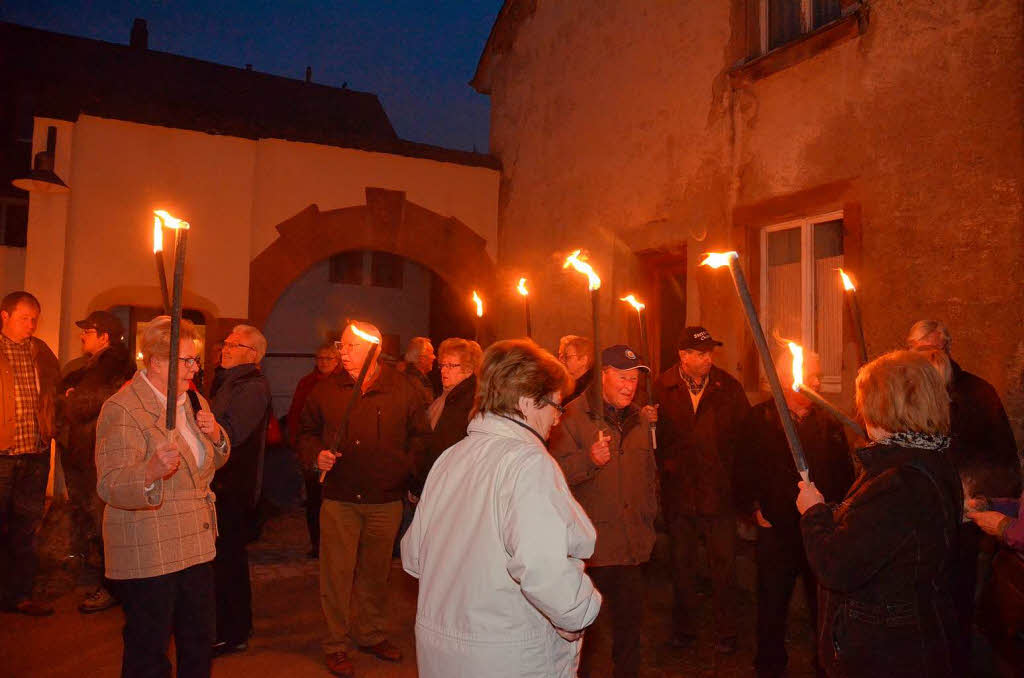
(160, 525)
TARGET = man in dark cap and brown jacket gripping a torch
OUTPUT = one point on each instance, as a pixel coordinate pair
(611, 468)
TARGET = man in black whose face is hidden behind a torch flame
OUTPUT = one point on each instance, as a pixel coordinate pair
(766, 489)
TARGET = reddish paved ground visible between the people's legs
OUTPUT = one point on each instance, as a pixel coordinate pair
(290, 626)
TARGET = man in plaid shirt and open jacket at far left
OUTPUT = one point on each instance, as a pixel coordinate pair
(29, 376)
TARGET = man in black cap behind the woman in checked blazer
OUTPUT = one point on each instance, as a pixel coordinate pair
(108, 366)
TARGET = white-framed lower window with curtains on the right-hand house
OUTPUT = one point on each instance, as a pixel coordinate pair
(802, 294)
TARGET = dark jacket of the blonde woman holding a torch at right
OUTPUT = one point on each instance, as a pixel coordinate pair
(883, 561)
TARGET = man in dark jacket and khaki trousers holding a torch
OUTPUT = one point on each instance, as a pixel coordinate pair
(366, 482)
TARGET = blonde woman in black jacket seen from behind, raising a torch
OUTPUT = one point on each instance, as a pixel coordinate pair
(883, 557)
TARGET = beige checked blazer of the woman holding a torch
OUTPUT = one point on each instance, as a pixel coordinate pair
(172, 527)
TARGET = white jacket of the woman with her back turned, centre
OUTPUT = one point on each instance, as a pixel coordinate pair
(497, 544)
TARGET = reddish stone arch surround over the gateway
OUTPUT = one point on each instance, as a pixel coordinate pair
(388, 223)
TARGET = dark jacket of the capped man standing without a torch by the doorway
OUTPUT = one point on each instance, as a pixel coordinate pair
(697, 451)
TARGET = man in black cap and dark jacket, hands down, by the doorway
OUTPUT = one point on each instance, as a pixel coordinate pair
(703, 410)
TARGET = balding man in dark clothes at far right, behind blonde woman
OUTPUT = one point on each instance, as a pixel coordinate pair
(985, 452)
